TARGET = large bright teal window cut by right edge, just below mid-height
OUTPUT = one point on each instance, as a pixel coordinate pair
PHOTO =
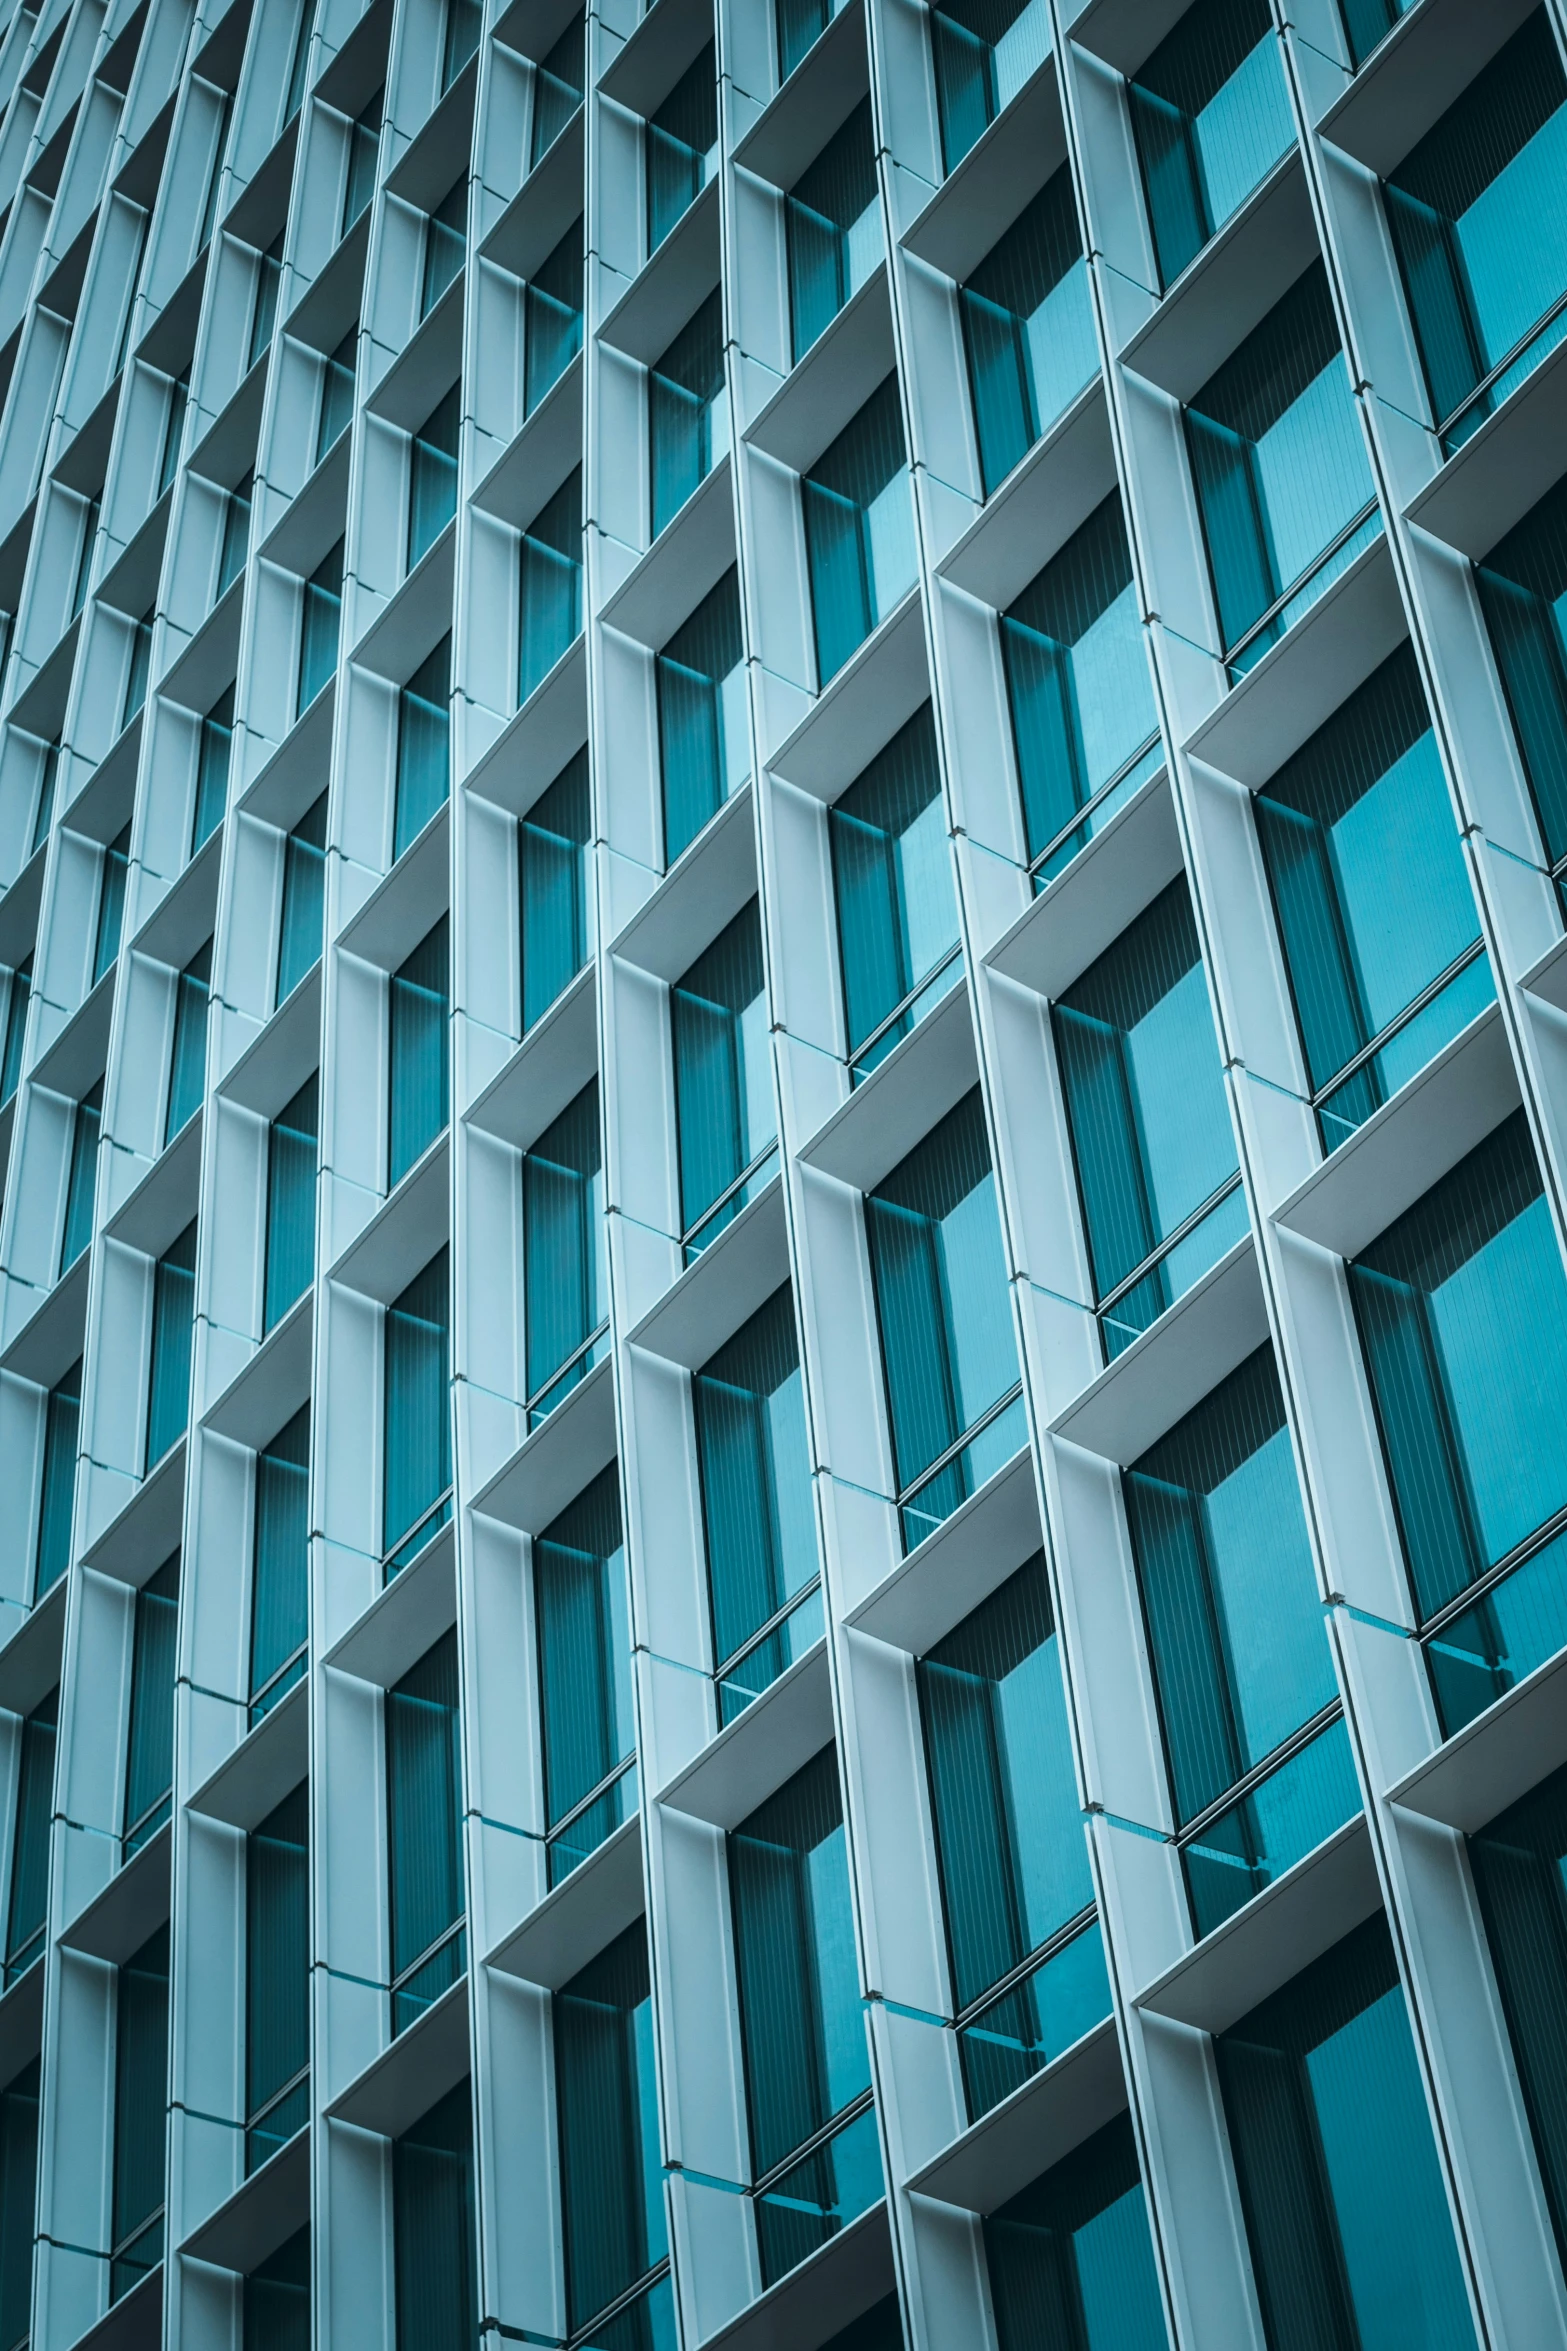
(1462, 1311)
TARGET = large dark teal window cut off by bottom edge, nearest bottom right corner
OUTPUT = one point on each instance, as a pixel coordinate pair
(1338, 2171)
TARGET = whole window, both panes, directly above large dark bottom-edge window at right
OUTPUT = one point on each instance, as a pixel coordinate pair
(1260, 1764)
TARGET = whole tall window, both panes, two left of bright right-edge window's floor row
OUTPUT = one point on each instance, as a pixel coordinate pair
(1009, 1842)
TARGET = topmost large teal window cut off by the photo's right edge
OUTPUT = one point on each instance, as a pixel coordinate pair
(1479, 225)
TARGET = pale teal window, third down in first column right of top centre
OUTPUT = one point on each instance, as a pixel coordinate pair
(1077, 678)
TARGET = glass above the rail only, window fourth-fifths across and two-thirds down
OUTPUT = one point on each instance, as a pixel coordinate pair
(1228, 1586)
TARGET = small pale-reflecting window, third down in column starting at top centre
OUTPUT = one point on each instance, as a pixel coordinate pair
(859, 530)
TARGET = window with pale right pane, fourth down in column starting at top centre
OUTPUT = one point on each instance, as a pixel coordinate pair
(892, 878)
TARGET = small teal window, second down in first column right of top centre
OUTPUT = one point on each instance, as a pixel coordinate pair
(1028, 328)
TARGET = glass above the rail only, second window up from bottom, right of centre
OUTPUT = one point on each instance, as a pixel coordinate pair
(1009, 1830)
